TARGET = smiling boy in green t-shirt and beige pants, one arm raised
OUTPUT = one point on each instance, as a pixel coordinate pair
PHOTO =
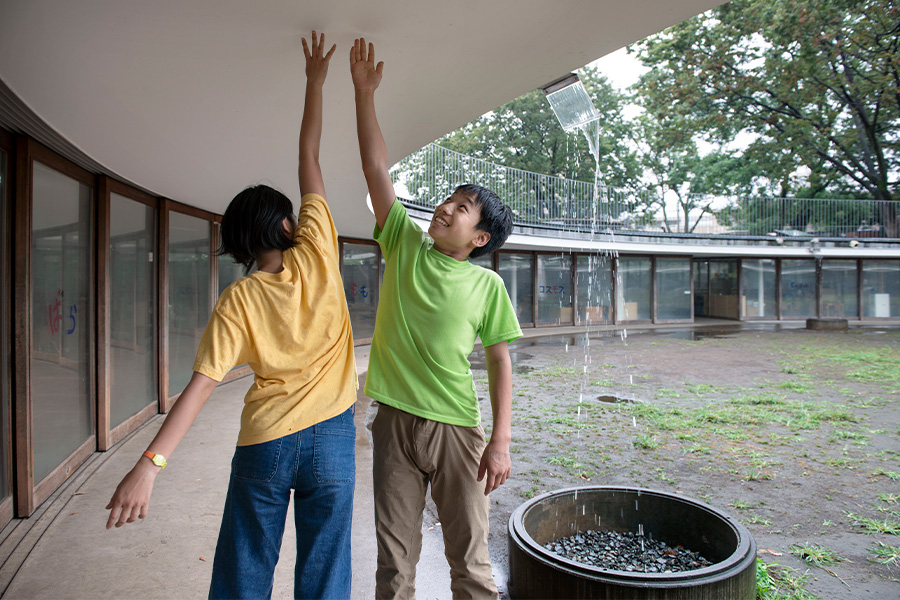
(433, 306)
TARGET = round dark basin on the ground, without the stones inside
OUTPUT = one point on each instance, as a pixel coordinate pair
(535, 572)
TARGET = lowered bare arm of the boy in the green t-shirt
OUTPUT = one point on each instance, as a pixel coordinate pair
(495, 461)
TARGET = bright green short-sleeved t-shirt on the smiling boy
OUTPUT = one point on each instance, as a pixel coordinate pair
(431, 309)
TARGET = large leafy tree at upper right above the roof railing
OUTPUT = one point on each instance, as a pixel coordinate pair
(817, 82)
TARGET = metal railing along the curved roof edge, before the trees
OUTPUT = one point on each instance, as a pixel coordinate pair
(426, 177)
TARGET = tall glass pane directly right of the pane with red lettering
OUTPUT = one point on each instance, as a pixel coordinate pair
(132, 329)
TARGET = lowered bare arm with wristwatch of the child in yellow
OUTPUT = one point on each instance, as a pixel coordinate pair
(132, 496)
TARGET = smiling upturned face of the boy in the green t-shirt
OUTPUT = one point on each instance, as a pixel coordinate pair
(453, 226)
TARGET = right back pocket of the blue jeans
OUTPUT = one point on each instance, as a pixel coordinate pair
(334, 455)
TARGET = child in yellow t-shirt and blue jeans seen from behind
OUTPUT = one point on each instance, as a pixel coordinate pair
(288, 320)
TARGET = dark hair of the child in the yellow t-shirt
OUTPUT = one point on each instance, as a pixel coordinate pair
(251, 225)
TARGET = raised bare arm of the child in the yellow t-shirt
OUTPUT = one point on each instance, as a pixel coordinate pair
(309, 171)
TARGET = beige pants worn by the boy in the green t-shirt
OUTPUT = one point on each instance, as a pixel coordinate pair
(410, 452)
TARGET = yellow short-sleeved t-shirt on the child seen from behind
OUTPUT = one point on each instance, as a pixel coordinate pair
(293, 329)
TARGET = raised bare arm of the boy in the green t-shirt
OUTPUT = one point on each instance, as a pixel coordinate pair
(366, 76)
